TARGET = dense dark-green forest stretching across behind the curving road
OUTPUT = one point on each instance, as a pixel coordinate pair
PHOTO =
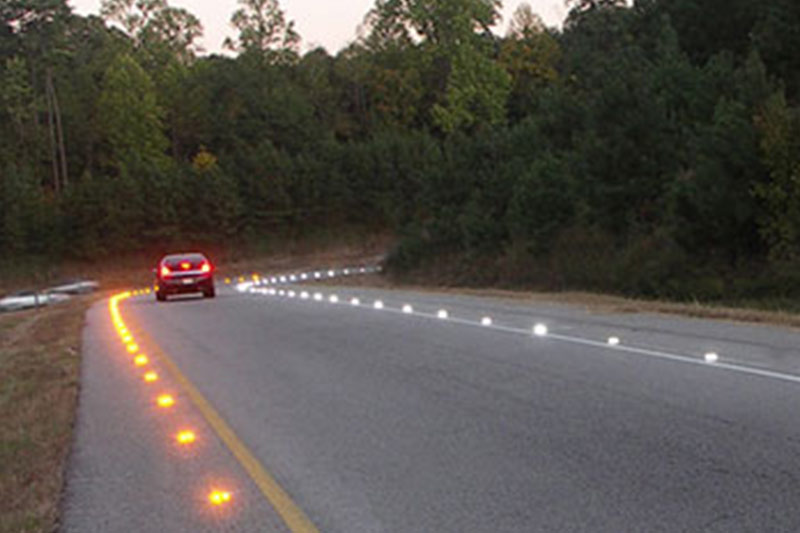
(650, 148)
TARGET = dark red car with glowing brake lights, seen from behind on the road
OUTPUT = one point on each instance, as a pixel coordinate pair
(184, 273)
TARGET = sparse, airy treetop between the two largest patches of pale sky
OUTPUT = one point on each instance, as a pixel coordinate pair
(264, 32)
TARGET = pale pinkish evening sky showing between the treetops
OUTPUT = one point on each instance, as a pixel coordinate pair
(330, 23)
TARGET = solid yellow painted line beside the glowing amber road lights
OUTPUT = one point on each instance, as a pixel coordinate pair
(294, 517)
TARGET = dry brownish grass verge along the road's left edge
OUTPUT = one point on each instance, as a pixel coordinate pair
(39, 372)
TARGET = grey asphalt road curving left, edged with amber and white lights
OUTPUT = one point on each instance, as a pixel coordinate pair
(384, 421)
